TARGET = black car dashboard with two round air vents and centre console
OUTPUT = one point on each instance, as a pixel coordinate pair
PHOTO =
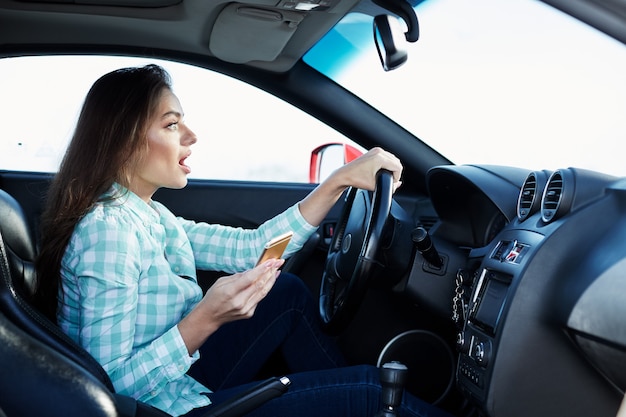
(536, 265)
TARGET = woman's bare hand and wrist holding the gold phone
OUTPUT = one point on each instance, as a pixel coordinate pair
(231, 298)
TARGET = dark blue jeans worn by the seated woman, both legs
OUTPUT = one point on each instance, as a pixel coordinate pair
(321, 385)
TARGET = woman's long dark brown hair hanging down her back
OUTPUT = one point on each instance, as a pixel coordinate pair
(109, 138)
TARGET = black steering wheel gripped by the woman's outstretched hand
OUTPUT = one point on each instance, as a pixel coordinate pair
(352, 254)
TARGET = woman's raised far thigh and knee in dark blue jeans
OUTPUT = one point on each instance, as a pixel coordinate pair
(286, 320)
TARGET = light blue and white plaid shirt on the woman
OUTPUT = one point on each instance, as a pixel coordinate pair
(129, 276)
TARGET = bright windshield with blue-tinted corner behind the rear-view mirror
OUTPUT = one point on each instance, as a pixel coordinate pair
(511, 82)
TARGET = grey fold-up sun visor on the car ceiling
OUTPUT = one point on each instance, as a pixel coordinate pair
(244, 33)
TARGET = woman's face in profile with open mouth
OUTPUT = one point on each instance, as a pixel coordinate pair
(169, 142)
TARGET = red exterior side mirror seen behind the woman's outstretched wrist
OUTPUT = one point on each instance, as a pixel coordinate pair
(328, 157)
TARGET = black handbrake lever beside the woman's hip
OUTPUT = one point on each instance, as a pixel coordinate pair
(247, 401)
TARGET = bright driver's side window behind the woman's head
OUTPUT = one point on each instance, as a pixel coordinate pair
(243, 132)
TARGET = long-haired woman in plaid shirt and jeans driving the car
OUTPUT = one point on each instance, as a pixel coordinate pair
(117, 270)
